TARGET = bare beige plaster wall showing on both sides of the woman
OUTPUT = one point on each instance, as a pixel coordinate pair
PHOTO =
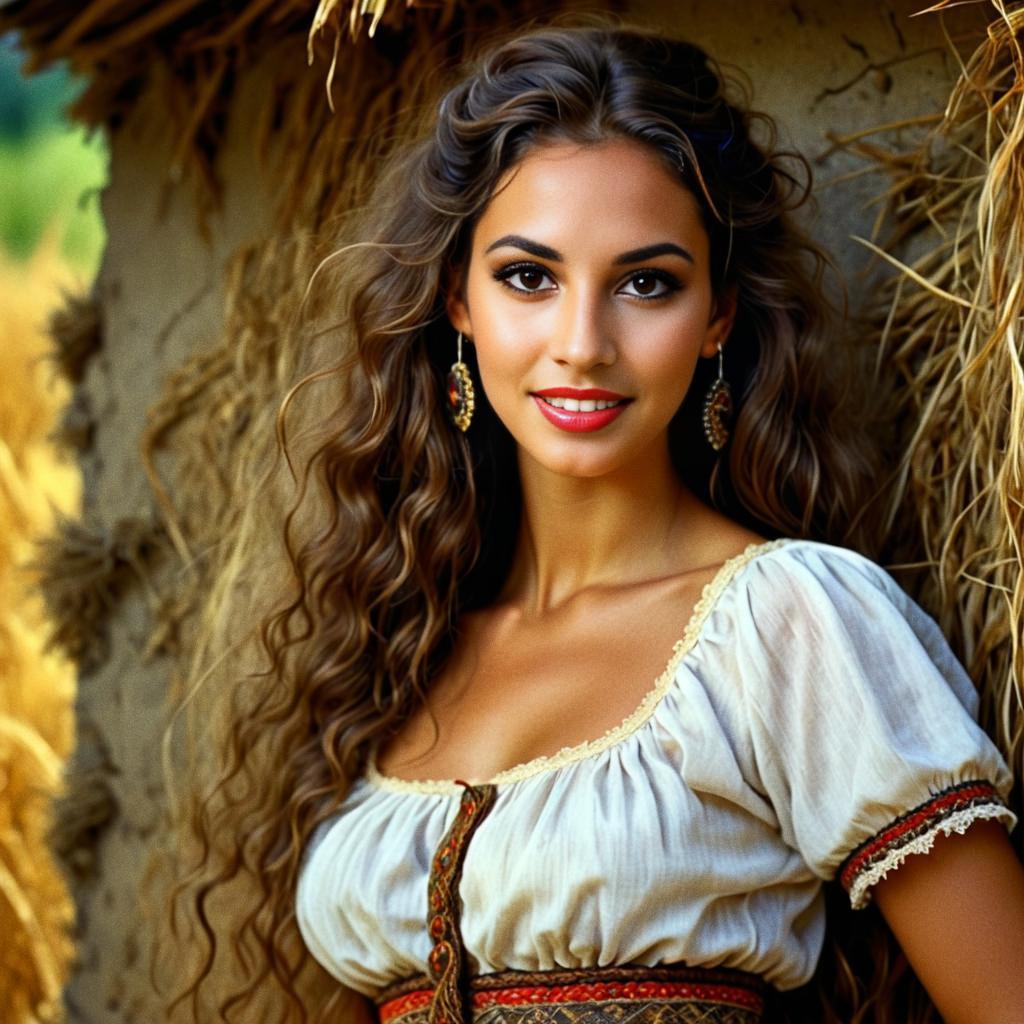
(838, 67)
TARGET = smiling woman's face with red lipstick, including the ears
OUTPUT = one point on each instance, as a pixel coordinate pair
(589, 284)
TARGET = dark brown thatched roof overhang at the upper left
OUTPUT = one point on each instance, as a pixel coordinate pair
(340, 69)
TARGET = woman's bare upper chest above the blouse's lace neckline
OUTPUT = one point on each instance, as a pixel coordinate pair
(518, 690)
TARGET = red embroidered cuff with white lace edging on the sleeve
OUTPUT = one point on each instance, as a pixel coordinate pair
(952, 810)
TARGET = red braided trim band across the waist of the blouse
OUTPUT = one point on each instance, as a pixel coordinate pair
(586, 993)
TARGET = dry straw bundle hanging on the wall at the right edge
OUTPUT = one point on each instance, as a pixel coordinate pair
(950, 333)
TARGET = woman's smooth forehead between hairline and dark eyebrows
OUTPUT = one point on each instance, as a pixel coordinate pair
(616, 195)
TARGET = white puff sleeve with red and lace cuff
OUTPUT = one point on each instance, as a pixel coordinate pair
(864, 732)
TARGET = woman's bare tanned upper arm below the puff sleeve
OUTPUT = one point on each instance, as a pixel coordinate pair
(959, 915)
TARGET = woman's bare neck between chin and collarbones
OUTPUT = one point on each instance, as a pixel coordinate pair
(578, 534)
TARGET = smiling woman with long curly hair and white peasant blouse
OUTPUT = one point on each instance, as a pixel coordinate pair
(581, 710)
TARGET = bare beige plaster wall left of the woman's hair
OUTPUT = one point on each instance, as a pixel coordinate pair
(161, 290)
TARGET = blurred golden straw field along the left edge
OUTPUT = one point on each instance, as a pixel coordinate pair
(37, 692)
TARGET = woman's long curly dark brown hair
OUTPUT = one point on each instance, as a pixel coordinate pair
(401, 524)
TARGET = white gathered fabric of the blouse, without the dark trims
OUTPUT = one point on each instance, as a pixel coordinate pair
(809, 704)
